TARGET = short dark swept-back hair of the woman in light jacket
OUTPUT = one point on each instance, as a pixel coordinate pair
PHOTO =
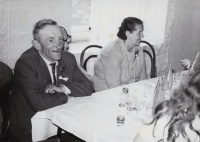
(128, 24)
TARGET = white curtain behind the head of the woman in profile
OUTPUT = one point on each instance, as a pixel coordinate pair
(107, 15)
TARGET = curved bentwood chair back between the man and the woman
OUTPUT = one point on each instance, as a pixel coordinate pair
(83, 62)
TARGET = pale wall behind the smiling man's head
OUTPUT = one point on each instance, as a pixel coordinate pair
(23, 14)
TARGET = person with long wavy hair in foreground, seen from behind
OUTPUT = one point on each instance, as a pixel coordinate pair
(177, 119)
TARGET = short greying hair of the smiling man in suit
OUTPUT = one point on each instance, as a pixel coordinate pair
(40, 25)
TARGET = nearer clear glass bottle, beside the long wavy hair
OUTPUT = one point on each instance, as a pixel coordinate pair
(159, 93)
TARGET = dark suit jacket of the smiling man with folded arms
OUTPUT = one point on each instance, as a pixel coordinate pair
(31, 76)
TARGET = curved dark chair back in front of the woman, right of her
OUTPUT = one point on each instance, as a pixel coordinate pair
(152, 56)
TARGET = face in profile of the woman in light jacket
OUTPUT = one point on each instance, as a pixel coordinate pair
(135, 37)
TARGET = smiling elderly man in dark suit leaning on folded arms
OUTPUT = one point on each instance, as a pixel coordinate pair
(44, 77)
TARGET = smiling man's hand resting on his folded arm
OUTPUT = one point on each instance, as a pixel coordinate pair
(52, 88)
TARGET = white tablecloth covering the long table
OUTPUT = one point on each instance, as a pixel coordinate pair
(92, 118)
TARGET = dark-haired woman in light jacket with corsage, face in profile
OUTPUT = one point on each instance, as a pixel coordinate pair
(121, 61)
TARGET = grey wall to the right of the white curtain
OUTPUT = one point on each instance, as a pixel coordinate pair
(185, 35)
